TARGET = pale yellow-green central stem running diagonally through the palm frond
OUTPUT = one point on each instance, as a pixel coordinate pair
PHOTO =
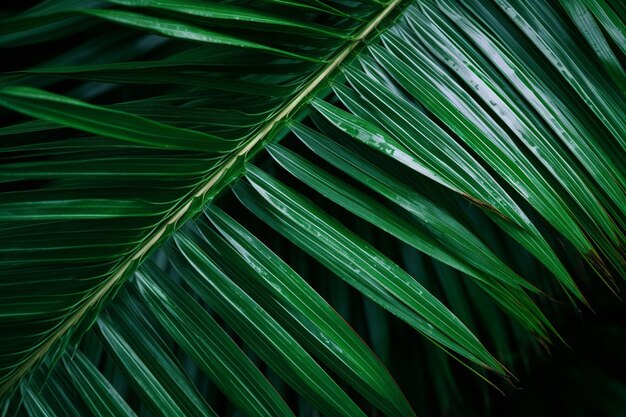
(228, 167)
